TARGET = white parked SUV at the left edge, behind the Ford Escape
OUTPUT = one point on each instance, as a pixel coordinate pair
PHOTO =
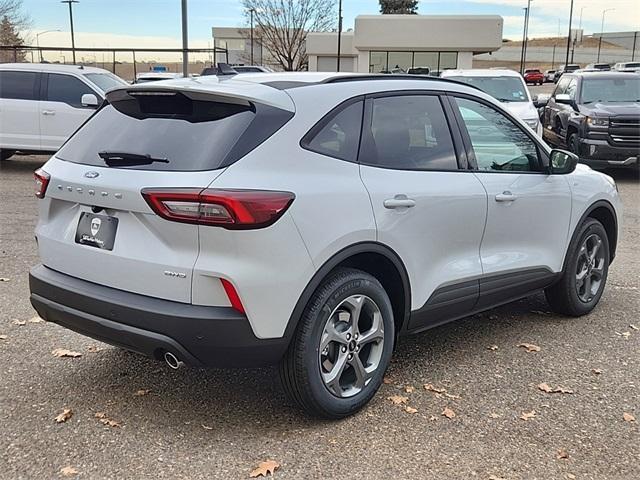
(41, 105)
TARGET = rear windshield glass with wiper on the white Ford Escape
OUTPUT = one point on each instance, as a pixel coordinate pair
(172, 137)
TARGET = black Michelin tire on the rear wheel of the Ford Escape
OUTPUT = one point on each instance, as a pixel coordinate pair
(300, 369)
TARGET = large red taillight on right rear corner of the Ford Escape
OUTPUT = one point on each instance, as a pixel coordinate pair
(231, 209)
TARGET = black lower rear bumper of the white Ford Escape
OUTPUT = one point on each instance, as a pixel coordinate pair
(197, 335)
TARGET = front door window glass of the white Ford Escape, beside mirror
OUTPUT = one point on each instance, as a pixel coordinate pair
(498, 144)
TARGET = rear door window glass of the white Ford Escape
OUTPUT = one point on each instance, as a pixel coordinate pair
(409, 132)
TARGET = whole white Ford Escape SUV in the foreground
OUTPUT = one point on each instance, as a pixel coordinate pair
(309, 220)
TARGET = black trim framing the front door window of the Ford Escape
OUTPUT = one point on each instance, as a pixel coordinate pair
(543, 158)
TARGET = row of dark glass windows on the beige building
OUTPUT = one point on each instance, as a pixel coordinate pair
(387, 62)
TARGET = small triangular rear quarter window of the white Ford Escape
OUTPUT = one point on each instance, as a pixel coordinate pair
(338, 135)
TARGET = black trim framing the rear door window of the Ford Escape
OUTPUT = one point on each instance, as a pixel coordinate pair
(458, 147)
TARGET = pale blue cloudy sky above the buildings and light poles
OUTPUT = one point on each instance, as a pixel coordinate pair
(161, 18)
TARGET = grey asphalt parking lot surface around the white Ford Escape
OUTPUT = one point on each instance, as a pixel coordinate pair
(197, 424)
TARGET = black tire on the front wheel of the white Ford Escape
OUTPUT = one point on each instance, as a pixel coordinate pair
(564, 296)
